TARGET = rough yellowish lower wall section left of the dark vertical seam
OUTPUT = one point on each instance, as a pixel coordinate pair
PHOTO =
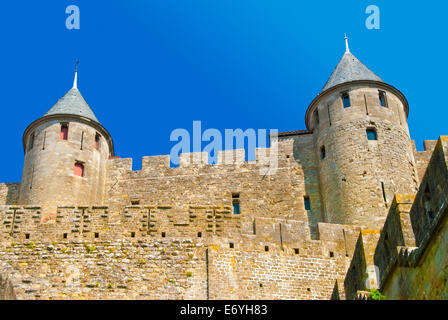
(160, 269)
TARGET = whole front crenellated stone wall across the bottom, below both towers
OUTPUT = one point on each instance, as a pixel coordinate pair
(96, 253)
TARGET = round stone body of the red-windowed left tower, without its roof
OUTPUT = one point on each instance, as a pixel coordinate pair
(48, 172)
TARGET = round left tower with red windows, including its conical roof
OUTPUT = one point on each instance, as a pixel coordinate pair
(66, 152)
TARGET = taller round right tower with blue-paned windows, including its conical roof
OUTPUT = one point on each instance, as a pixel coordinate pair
(362, 143)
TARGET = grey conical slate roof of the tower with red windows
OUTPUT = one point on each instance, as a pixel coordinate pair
(73, 103)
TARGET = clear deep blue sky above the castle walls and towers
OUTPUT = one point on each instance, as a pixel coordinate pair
(148, 67)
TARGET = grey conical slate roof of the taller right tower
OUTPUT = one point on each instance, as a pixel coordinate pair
(350, 69)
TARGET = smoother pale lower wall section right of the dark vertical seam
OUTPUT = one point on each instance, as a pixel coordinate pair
(305, 272)
